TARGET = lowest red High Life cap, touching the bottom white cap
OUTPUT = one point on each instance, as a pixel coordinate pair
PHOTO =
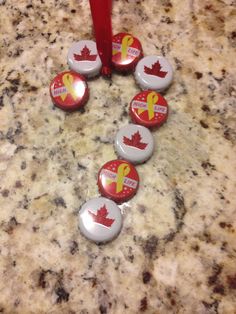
(118, 180)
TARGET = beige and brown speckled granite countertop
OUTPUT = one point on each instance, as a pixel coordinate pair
(176, 252)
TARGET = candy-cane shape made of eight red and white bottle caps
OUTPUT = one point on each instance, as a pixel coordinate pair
(100, 219)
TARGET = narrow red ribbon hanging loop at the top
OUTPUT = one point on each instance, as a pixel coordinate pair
(101, 15)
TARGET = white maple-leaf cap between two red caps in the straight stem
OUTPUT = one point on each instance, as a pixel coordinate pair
(134, 143)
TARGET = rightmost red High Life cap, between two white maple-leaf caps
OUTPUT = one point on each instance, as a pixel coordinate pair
(149, 109)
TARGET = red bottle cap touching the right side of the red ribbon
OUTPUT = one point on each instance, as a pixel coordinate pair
(126, 52)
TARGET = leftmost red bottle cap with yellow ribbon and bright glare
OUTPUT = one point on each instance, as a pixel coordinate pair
(69, 91)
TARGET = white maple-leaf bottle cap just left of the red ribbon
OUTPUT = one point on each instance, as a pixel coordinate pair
(83, 58)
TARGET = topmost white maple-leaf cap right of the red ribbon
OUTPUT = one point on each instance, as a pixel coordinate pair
(154, 73)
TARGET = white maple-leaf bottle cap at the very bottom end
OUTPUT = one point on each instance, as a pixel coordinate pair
(100, 220)
